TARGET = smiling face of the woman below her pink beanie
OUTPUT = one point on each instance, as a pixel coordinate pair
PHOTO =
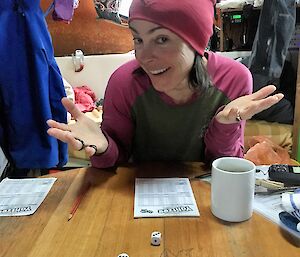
(165, 57)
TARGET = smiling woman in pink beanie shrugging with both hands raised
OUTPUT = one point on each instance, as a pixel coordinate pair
(175, 102)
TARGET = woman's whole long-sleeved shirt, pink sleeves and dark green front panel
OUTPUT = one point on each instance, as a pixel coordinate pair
(144, 124)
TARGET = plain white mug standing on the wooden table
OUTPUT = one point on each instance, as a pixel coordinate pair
(232, 188)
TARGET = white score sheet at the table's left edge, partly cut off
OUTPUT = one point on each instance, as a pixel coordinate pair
(19, 197)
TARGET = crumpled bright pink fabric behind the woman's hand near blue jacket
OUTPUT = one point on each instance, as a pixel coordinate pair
(84, 98)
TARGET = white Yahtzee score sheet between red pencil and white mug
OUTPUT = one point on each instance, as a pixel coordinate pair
(164, 197)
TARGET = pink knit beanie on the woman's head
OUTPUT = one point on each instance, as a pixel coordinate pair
(192, 20)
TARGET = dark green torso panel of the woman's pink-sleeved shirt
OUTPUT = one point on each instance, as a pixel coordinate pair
(166, 132)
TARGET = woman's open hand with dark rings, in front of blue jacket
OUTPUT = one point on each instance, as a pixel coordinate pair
(83, 134)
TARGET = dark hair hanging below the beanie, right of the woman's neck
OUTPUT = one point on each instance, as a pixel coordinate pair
(199, 78)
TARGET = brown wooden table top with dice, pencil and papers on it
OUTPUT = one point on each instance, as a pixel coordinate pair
(104, 225)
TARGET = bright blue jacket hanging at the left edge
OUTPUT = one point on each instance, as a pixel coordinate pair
(31, 87)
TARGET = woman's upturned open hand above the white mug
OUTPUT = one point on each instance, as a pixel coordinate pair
(244, 107)
